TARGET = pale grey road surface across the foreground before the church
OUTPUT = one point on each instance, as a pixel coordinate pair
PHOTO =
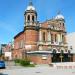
(38, 70)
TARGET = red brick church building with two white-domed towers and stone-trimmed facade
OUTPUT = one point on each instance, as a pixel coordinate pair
(42, 43)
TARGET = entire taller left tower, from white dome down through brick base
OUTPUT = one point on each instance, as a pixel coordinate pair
(30, 28)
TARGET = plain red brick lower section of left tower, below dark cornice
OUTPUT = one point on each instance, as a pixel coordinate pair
(31, 38)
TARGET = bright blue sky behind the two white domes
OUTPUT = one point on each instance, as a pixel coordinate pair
(12, 15)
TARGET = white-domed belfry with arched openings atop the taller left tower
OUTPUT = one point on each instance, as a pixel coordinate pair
(30, 15)
